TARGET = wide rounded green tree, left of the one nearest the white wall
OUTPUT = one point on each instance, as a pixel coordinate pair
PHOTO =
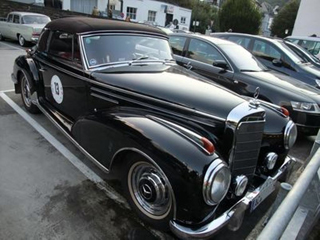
(240, 16)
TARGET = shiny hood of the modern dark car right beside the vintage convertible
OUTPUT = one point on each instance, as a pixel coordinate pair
(283, 82)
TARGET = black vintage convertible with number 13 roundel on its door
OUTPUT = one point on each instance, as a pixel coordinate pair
(193, 156)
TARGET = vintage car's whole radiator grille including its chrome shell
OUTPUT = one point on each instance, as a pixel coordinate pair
(247, 124)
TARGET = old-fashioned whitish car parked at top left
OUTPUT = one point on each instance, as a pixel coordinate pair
(23, 26)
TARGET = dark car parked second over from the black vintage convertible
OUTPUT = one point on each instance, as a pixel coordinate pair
(276, 55)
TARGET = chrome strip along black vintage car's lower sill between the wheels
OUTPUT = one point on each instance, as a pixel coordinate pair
(95, 161)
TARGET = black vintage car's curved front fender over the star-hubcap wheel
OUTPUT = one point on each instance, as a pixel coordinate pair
(104, 135)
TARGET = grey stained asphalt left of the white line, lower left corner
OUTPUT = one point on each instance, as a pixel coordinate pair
(43, 196)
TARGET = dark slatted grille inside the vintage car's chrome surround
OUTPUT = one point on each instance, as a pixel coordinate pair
(247, 143)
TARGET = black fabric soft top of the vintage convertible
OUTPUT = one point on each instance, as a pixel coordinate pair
(86, 24)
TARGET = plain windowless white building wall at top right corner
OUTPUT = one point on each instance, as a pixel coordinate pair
(308, 19)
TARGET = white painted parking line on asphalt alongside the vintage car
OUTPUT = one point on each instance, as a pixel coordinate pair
(111, 193)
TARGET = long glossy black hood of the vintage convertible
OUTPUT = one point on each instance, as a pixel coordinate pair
(174, 85)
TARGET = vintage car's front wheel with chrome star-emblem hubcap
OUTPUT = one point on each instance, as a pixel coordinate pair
(149, 192)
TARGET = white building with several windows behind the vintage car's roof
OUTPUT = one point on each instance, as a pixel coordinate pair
(143, 11)
